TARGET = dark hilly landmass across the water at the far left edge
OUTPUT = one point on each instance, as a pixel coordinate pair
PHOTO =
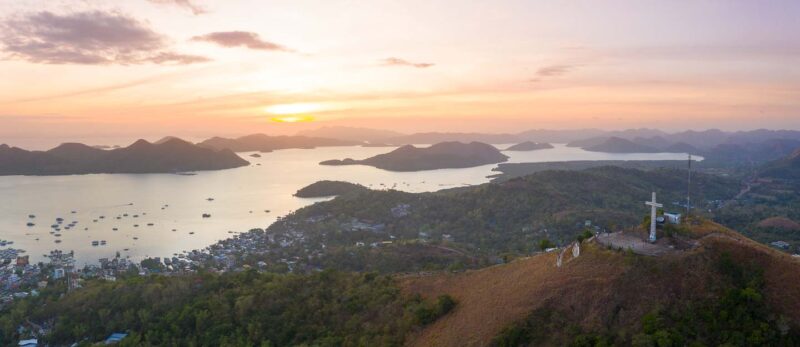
(171, 155)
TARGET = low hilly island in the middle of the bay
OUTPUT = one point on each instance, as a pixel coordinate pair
(443, 155)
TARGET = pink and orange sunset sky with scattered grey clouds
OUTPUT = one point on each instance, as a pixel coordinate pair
(108, 69)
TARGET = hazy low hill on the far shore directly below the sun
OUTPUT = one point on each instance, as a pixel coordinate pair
(266, 143)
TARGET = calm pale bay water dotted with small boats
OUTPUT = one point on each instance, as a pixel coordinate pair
(240, 198)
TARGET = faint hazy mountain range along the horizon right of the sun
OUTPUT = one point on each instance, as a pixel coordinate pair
(718, 147)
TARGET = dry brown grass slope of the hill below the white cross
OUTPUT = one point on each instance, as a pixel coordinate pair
(600, 289)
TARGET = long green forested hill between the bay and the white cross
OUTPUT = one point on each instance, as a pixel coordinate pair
(489, 220)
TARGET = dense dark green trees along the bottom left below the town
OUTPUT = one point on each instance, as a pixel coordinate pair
(241, 309)
